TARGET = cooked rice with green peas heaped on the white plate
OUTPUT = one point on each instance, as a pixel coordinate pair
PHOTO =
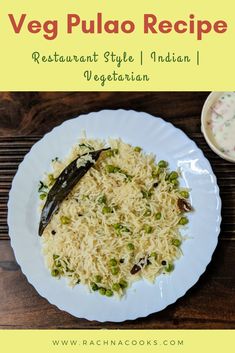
(83, 248)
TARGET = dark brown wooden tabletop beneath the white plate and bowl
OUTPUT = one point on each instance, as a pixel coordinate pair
(24, 118)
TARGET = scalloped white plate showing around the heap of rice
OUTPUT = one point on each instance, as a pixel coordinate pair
(154, 135)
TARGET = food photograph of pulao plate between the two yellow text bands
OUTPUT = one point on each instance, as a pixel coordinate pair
(117, 210)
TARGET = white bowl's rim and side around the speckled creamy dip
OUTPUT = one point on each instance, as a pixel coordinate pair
(210, 101)
